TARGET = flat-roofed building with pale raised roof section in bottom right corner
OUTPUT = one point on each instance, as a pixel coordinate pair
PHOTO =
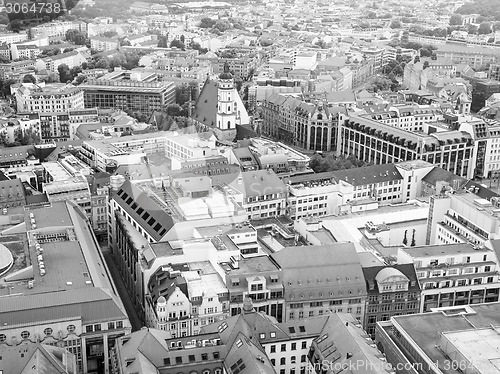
(446, 340)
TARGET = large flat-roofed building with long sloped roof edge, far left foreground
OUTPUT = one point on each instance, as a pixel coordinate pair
(66, 298)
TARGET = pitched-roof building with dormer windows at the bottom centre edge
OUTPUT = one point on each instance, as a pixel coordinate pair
(251, 342)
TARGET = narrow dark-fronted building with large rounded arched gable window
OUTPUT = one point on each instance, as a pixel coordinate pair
(392, 291)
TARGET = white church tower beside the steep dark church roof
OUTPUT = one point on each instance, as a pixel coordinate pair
(227, 109)
